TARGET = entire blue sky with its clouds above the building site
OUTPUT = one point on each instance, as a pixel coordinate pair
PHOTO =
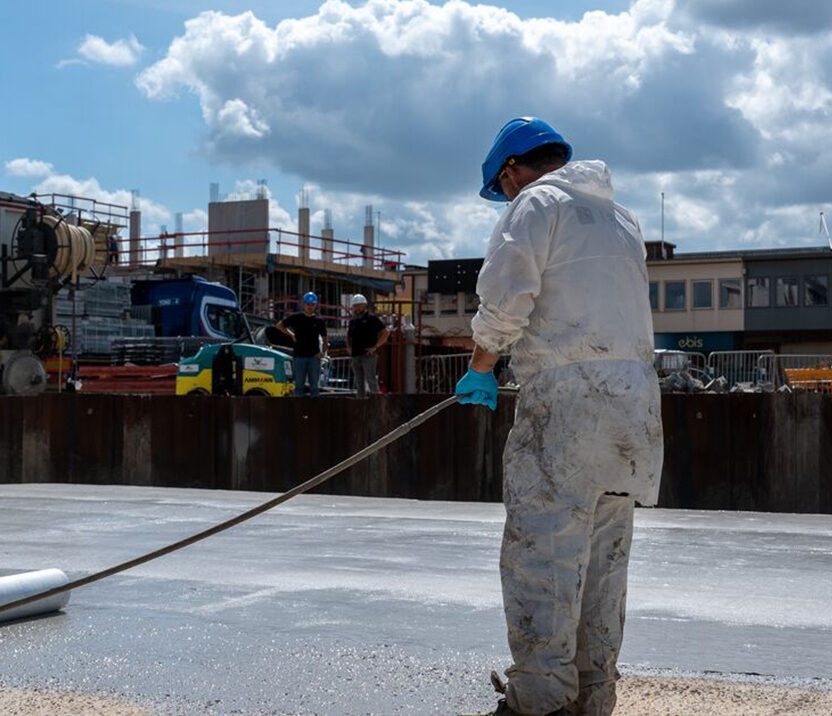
(725, 106)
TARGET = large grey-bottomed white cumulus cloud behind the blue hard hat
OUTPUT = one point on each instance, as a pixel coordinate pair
(401, 97)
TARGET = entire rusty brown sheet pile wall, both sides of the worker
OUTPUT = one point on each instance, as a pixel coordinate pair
(767, 452)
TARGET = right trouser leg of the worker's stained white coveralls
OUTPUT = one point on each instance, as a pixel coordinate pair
(603, 606)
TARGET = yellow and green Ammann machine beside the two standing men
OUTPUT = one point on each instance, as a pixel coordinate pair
(235, 369)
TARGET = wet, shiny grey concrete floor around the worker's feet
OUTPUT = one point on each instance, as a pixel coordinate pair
(337, 605)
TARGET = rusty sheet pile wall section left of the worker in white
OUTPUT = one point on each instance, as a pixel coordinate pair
(252, 443)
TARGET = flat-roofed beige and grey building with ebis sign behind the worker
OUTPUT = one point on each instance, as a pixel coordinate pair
(776, 299)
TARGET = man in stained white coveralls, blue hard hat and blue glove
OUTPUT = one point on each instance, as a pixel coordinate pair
(564, 288)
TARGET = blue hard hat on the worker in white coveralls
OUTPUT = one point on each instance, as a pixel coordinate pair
(517, 137)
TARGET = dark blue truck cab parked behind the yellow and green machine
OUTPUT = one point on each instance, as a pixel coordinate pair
(191, 306)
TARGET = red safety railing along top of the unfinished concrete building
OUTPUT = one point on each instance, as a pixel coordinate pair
(150, 250)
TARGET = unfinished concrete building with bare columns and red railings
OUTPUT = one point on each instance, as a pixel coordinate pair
(269, 268)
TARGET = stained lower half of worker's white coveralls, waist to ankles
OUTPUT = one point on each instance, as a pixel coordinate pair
(580, 431)
